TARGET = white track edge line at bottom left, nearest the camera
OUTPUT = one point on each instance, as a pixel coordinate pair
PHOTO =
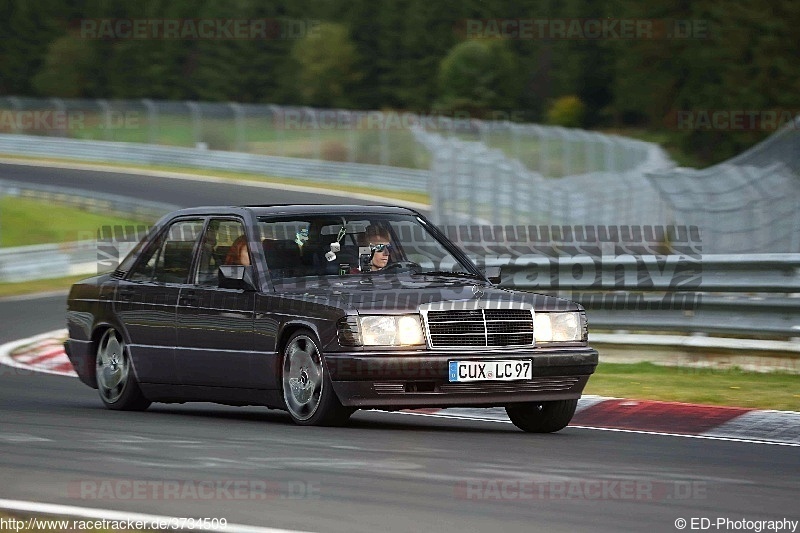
(104, 514)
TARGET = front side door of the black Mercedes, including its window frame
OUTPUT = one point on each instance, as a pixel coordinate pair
(214, 326)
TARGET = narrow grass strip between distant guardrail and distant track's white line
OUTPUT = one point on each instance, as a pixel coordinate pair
(389, 194)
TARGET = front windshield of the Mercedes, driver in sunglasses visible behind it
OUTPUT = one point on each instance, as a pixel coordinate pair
(356, 244)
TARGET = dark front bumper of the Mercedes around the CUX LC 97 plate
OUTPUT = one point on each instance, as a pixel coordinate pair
(420, 379)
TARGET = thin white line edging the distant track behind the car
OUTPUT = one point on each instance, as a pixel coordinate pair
(307, 189)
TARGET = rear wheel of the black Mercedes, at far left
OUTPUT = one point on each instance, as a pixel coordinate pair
(116, 381)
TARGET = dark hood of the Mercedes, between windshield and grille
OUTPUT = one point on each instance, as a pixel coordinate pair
(406, 293)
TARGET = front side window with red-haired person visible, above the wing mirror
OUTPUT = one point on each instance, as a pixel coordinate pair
(224, 243)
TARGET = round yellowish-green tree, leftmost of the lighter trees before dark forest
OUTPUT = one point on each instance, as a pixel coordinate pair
(327, 66)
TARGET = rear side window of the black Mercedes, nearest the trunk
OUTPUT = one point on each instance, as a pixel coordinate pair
(170, 259)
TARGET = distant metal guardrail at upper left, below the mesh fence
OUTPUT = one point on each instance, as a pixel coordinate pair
(329, 172)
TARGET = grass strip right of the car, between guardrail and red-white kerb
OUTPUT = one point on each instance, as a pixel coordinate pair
(731, 387)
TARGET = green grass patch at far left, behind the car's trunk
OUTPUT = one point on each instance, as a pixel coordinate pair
(26, 221)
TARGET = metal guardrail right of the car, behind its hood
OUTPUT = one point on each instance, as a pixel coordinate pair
(752, 295)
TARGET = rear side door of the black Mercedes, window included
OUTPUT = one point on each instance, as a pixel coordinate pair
(145, 301)
